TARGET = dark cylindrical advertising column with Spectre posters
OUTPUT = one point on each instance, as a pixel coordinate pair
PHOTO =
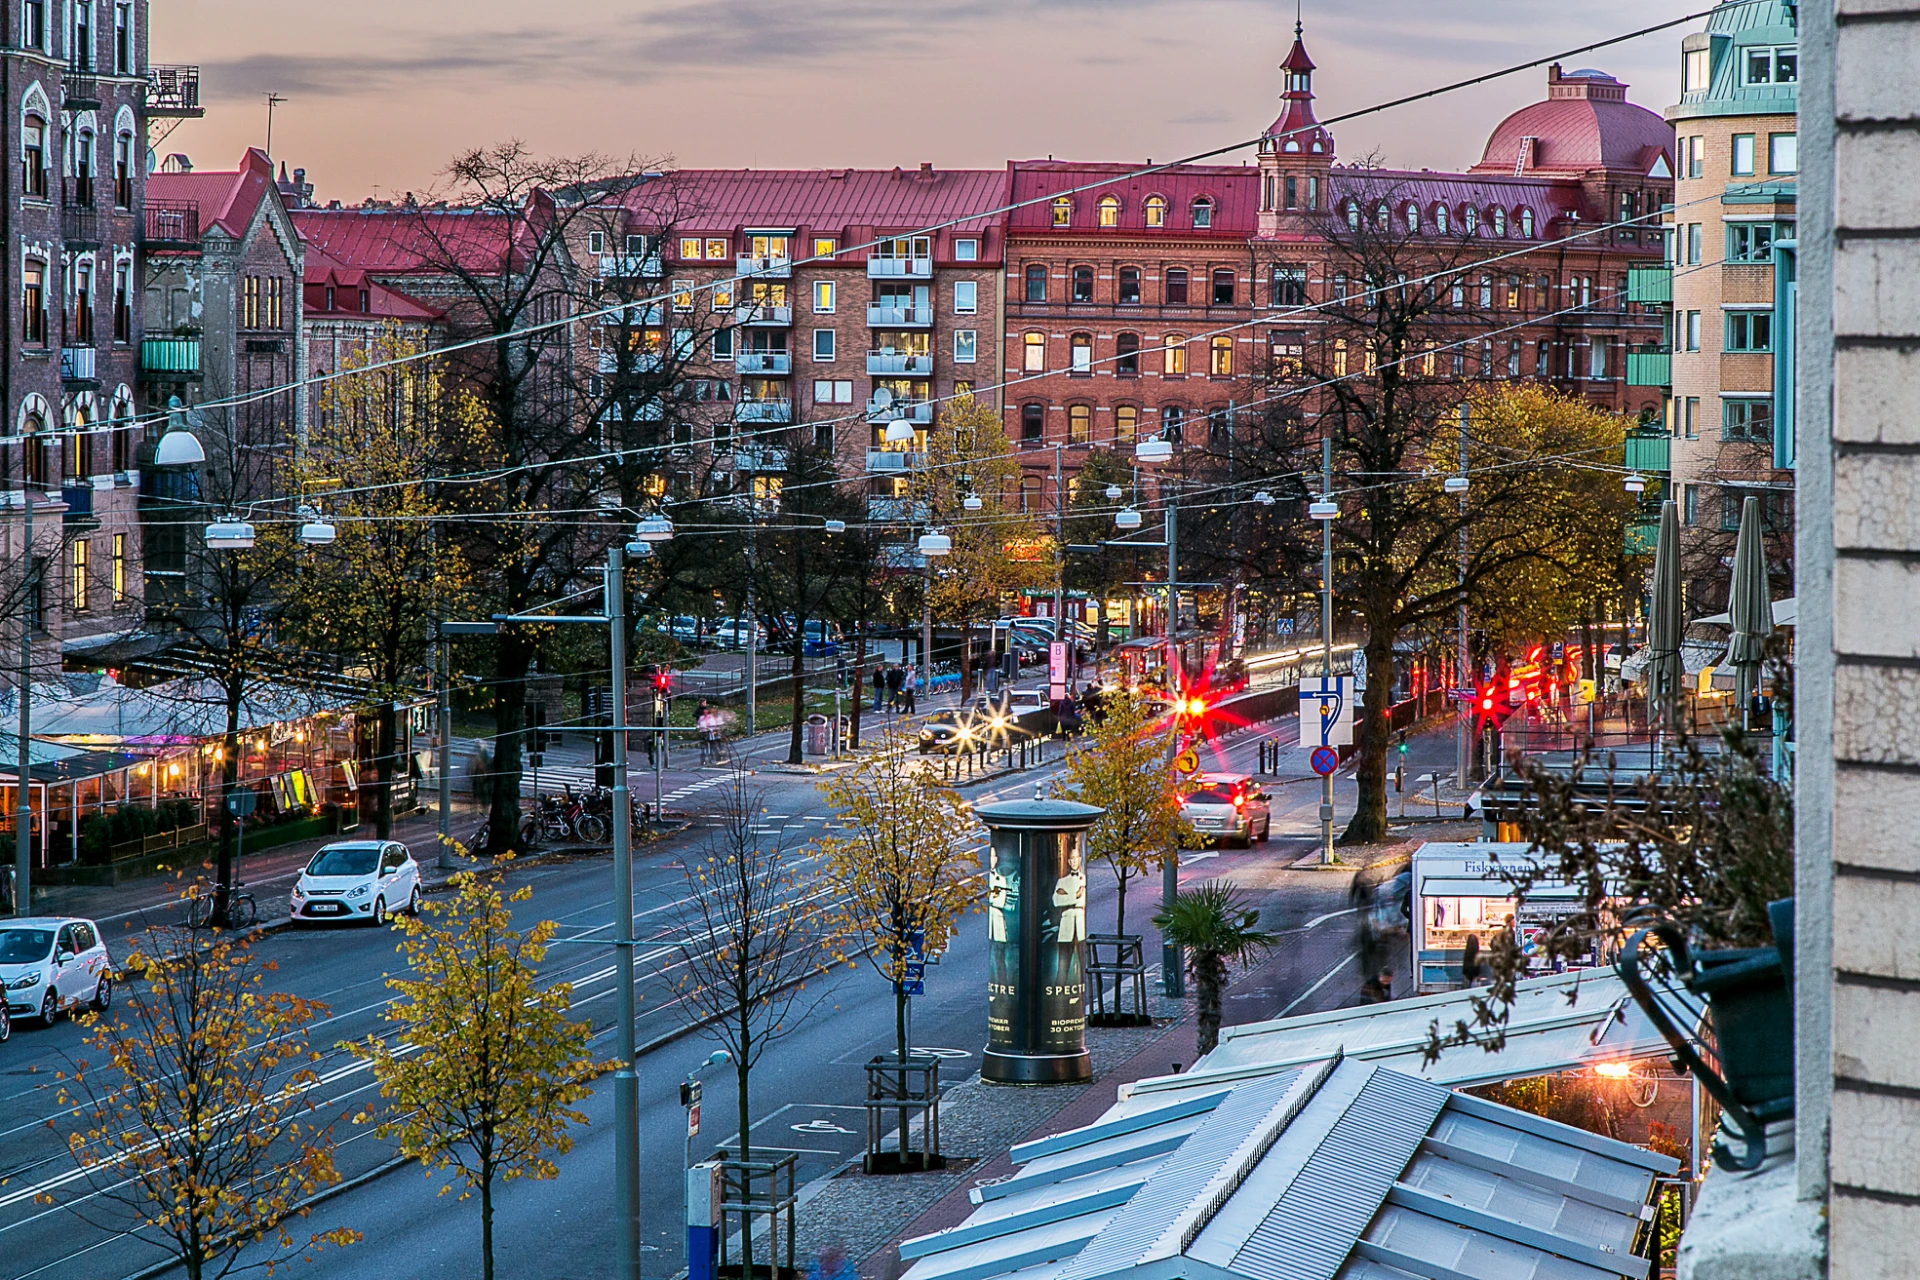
(1038, 941)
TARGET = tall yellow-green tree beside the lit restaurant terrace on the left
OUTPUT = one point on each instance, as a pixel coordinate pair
(370, 600)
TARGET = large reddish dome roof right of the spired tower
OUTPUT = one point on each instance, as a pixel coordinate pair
(1585, 124)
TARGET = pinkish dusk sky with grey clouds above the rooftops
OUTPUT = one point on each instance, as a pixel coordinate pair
(381, 93)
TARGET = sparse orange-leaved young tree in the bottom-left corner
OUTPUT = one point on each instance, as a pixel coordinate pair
(201, 1116)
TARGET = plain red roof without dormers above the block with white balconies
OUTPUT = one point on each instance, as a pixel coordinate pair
(850, 204)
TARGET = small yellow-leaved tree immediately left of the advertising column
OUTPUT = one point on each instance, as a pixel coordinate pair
(901, 865)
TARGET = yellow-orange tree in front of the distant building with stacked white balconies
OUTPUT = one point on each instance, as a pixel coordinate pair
(997, 548)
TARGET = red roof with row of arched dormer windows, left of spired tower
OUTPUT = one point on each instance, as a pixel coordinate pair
(1234, 191)
